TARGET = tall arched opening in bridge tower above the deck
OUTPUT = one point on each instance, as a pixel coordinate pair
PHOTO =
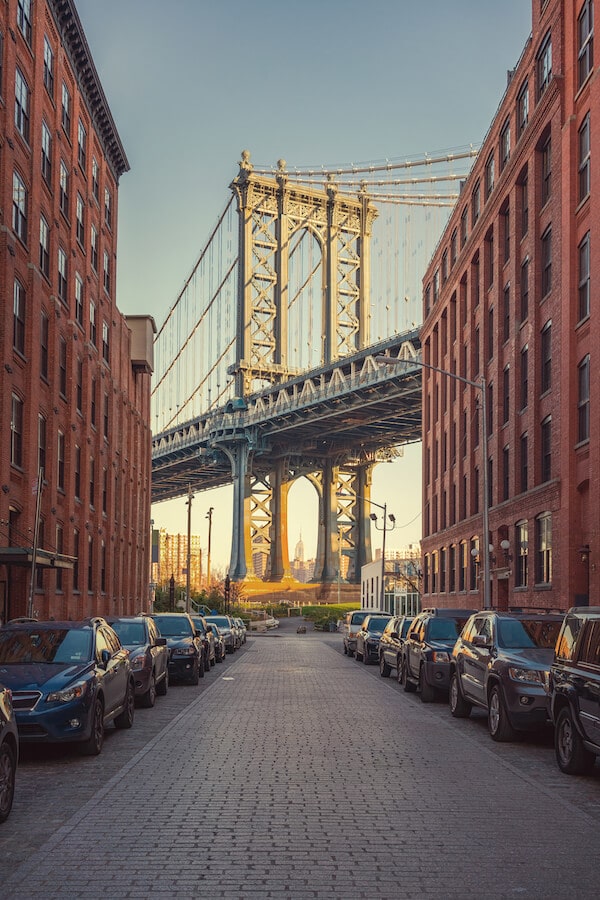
(305, 301)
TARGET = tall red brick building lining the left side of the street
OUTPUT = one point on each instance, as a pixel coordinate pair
(74, 404)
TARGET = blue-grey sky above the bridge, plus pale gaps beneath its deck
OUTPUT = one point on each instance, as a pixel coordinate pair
(192, 83)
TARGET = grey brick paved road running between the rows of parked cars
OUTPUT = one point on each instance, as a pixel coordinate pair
(265, 788)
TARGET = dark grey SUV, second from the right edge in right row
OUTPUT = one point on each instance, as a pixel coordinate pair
(500, 663)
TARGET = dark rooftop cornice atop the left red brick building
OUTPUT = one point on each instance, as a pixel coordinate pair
(74, 40)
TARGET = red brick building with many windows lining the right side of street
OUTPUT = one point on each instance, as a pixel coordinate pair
(509, 305)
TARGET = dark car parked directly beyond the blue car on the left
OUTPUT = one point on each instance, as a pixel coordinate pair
(148, 655)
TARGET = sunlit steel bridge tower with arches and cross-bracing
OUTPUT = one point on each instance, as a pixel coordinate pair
(275, 216)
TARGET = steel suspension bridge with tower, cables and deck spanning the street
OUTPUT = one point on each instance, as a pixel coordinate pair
(266, 365)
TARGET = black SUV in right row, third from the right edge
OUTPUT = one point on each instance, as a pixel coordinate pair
(427, 649)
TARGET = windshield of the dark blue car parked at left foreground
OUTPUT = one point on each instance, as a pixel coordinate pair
(45, 645)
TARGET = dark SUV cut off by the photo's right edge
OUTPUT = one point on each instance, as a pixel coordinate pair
(575, 691)
